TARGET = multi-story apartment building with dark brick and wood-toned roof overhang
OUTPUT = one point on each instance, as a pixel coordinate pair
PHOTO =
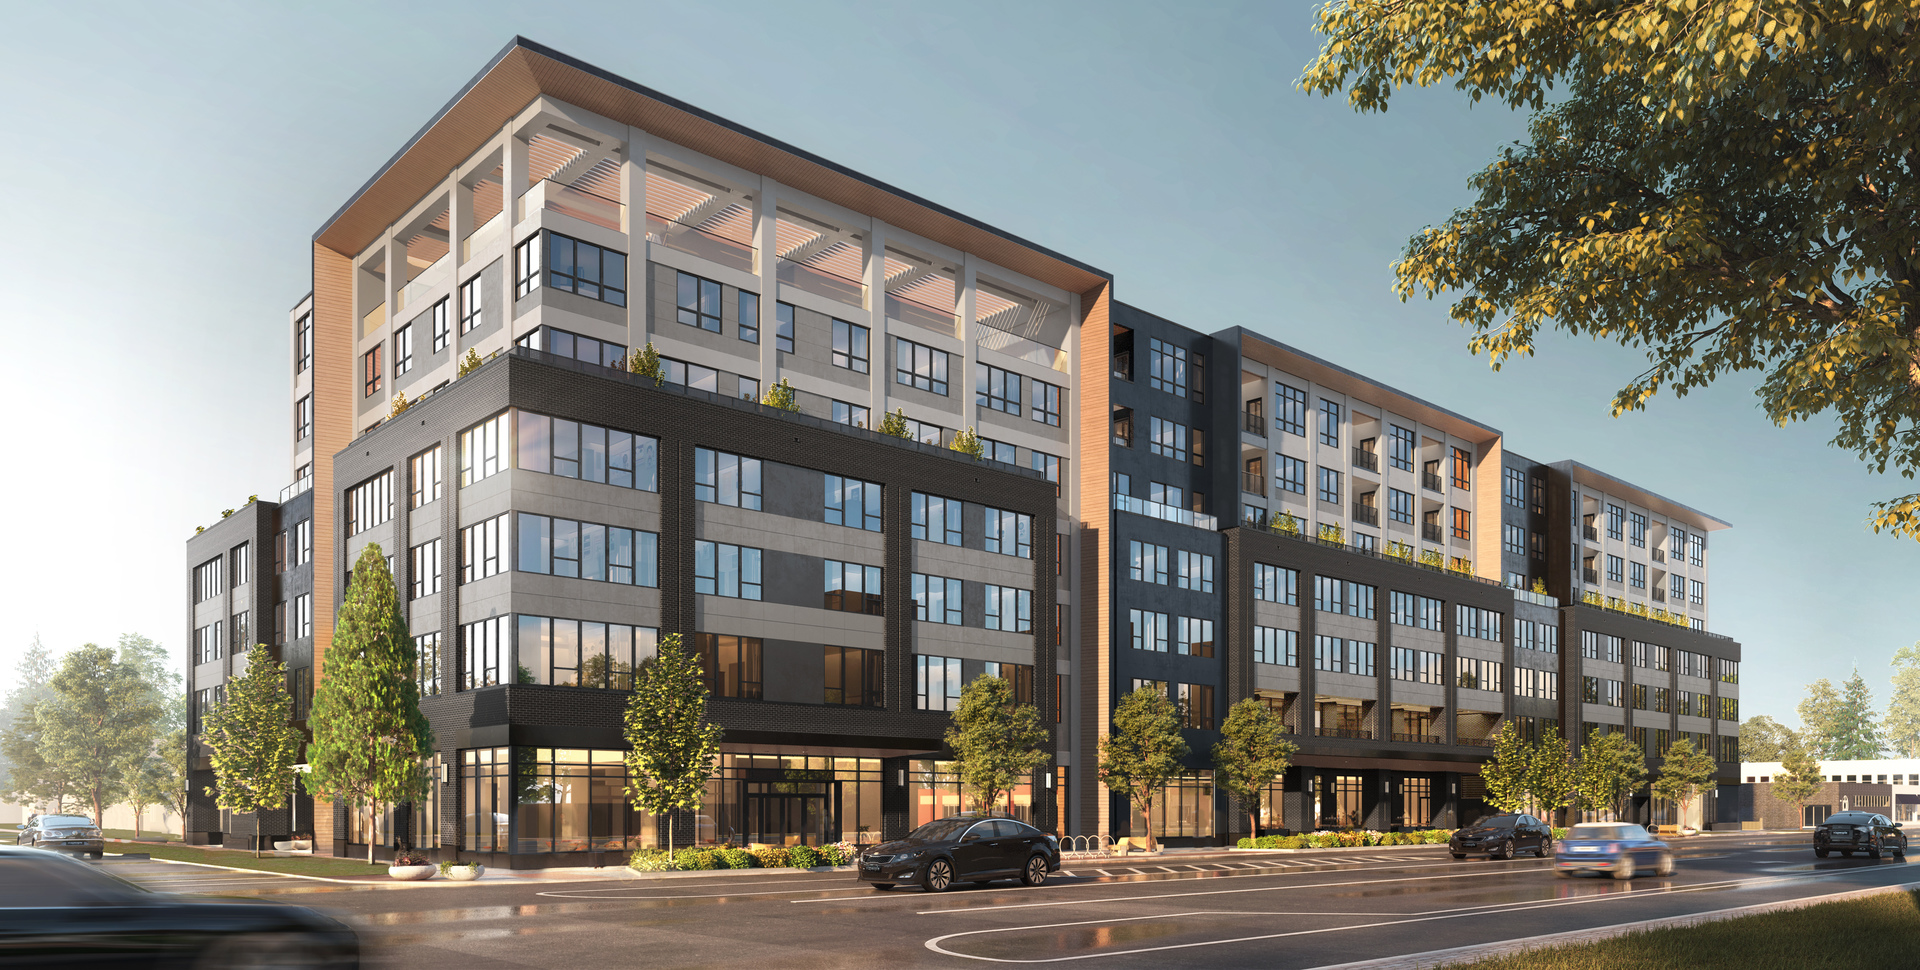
(1159, 508)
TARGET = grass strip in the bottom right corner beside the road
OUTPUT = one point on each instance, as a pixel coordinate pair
(1835, 936)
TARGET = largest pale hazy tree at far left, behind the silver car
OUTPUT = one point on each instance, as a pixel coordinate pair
(97, 725)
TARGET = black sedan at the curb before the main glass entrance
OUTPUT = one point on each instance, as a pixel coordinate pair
(967, 848)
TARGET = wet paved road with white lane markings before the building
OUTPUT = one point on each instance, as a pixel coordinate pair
(1291, 911)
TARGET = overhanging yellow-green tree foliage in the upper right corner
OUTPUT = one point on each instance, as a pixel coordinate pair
(1723, 185)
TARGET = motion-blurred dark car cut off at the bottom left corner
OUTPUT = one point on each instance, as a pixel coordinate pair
(59, 911)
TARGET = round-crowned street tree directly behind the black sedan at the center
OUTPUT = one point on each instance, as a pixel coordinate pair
(996, 740)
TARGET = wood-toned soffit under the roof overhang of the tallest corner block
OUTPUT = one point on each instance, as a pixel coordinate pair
(523, 74)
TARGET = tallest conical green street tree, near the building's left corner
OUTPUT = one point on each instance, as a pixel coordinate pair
(370, 739)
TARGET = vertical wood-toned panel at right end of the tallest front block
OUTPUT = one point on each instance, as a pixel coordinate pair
(1097, 554)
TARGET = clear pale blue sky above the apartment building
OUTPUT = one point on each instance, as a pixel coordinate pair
(172, 162)
